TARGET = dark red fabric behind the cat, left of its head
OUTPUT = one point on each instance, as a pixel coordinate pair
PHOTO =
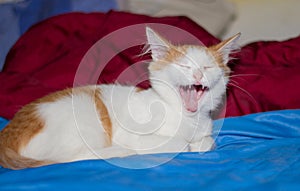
(46, 57)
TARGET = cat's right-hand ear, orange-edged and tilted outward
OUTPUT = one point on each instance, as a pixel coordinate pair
(226, 47)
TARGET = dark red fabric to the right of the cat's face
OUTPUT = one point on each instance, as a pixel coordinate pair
(265, 77)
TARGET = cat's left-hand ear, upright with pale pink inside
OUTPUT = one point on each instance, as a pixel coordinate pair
(157, 44)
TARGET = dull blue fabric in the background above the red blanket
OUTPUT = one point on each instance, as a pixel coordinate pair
(16, 18)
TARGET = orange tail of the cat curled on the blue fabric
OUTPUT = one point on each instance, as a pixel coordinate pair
(13, 160)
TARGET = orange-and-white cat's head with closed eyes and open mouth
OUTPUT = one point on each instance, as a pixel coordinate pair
(197, 74)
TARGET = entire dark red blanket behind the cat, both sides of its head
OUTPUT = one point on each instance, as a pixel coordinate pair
(47, 57)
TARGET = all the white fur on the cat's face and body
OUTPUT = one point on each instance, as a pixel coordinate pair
(149, 121)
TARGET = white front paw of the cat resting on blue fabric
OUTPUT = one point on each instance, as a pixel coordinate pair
(205, 144)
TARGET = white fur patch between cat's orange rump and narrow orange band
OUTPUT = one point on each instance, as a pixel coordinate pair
(69, 123)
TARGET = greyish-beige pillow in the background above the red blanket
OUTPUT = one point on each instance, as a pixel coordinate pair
(214, 16)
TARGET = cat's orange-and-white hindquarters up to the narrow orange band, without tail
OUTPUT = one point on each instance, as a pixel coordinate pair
(54, 126)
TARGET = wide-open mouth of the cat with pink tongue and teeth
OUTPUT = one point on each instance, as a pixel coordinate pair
(190, 95)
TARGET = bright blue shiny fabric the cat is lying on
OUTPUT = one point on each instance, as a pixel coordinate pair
(255, 152)
